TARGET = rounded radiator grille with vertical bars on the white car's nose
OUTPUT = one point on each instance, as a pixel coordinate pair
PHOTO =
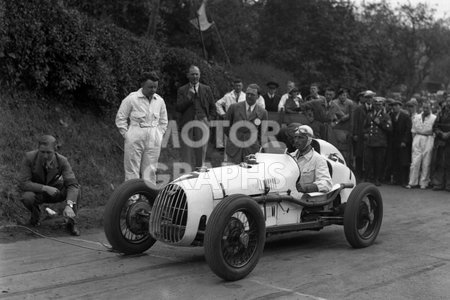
(169, 215)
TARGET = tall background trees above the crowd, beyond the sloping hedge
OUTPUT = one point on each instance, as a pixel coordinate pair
(332, 42)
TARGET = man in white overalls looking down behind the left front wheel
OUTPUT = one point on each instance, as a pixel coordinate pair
(143, 135)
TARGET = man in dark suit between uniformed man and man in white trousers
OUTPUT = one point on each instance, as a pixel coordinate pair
(400, 139)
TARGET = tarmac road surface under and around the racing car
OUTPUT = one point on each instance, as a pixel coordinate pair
(410, 260)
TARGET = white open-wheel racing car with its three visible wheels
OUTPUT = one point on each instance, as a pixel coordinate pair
(230, 210)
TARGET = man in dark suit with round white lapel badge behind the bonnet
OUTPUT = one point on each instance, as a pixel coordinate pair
(245, 139)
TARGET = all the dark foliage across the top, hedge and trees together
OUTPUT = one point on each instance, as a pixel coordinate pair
(94, 51)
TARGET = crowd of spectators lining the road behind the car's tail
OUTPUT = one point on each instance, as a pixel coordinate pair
(385, 140)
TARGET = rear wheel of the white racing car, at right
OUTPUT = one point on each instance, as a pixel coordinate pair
(363, 215)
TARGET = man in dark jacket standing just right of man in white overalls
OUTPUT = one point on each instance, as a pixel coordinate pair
(195, 102)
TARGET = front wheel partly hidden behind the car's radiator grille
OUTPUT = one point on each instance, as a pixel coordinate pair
(126, 217)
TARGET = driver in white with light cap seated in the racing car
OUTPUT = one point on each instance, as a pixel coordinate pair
(314, 173)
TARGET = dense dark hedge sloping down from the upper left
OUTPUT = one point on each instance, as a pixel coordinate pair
(61, 52)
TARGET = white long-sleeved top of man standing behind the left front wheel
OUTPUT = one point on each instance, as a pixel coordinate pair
(142, 112)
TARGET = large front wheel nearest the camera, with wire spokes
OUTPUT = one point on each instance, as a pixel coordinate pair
(234, 237)
